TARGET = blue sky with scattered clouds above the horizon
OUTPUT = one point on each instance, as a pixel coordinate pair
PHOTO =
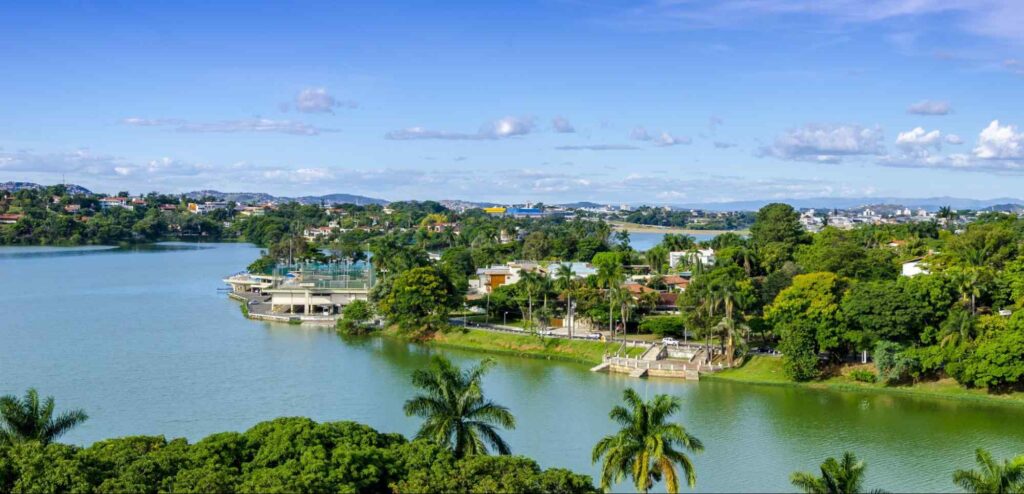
(665, 102)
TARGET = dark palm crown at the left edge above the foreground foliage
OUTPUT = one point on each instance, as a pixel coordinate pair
(27, 420)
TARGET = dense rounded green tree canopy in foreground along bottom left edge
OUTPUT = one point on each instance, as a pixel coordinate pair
(281, 456)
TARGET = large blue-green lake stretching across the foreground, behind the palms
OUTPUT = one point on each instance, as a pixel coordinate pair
(145, 343)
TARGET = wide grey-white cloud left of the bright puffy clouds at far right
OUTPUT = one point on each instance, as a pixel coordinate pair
(826, 144)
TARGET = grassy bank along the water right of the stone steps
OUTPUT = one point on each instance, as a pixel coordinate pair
(769, 370)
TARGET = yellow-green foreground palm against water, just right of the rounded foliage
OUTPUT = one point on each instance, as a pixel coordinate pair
(648, 447)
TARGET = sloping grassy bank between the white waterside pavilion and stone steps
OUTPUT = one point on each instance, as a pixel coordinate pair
(528, 346)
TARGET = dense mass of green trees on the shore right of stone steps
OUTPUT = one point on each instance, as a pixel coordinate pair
(825, 299)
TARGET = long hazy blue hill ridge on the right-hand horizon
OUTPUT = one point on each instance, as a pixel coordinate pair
(930, 204)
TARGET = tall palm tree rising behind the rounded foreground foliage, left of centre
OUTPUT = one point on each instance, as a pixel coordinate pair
(455, 413)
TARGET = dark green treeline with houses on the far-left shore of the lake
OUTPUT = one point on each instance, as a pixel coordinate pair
(52, 217)
